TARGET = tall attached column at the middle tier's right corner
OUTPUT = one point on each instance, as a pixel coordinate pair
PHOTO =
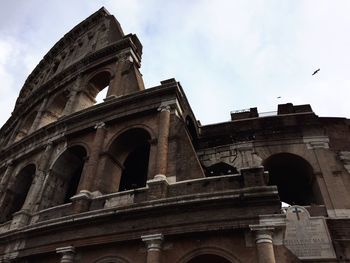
(163, 143)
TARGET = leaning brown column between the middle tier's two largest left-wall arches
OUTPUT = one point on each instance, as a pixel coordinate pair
(90, 169)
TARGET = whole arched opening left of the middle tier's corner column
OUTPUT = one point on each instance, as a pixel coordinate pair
(128, 160)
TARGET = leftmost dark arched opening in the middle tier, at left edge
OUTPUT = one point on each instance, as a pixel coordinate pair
(16, 193)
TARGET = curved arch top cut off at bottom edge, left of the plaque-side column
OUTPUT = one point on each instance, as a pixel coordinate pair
(218, 254)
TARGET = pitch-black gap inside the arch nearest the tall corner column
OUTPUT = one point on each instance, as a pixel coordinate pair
(135, 169)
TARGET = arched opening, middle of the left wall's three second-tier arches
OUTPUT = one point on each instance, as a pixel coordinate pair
(64, 177)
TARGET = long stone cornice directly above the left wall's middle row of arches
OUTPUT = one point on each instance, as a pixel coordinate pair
(108, 111)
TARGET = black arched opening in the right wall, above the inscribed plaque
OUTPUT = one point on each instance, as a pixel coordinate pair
(294, 178)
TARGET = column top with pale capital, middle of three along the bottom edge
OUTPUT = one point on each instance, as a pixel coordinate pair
(154, 247)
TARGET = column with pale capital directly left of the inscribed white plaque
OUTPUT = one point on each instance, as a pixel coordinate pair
(264, 244)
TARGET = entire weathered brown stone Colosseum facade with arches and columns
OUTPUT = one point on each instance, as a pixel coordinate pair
(138, 179)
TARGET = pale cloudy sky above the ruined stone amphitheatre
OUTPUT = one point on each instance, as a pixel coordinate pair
(227, 55)
